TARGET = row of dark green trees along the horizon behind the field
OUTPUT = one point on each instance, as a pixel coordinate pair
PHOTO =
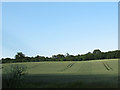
(95, 55)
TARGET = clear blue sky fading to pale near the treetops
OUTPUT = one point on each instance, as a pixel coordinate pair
(51, 28)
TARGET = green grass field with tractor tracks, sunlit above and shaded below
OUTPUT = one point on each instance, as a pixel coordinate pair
(68, 74)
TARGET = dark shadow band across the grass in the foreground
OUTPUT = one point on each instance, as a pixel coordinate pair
(70, 81)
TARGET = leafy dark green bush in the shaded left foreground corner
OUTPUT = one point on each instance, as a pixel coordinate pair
(13, 76)
